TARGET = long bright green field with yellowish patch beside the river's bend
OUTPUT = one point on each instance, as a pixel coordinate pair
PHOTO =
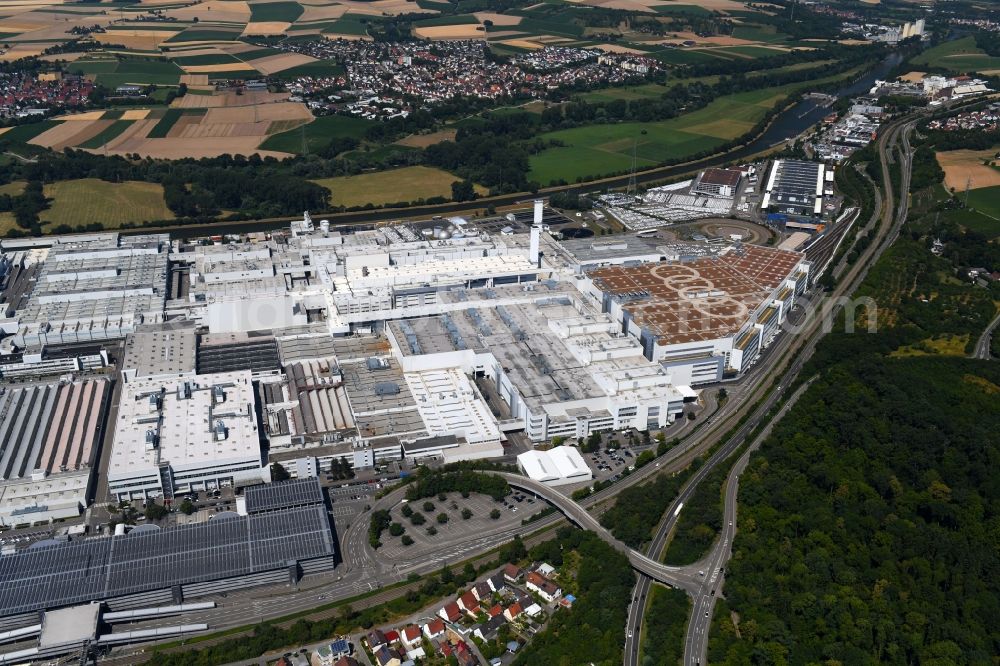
(596, 150)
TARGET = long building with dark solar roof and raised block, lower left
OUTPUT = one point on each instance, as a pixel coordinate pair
(284, 534)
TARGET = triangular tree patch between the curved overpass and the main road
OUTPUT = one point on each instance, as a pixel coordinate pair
(637, 511)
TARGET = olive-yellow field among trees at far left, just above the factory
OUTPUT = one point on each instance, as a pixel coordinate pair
(80, 202)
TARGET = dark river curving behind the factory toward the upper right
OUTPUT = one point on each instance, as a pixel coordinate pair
(788, 124)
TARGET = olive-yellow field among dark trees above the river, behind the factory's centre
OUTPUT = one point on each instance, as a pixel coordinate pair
(382, 187)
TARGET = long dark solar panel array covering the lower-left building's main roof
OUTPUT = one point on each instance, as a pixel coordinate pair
(83, 571)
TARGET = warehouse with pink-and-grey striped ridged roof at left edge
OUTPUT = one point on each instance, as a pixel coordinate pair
(49, 442)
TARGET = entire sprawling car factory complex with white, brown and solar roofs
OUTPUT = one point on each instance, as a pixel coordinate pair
(142, 369)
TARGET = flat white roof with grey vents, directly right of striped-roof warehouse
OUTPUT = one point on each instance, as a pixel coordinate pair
(185, 427)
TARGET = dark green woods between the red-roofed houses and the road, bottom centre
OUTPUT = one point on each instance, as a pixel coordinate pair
(591, 631)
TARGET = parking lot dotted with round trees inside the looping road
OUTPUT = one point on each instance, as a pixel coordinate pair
(457, 528)
